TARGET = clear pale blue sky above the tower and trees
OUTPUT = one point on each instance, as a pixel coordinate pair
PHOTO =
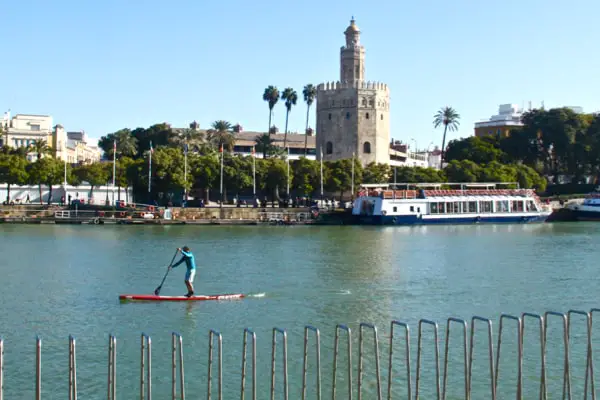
(101, 66)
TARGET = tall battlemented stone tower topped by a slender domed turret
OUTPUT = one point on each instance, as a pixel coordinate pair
(353, 114)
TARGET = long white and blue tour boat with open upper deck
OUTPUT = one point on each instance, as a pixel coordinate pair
(427, 203)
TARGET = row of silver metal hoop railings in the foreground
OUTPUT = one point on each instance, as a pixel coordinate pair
(476, 336)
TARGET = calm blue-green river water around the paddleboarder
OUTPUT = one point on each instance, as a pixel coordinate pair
(62, 280)
